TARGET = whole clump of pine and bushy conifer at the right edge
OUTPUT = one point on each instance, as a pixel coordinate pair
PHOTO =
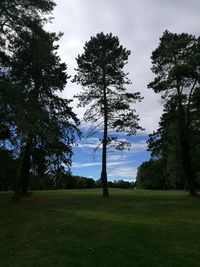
(176, 64)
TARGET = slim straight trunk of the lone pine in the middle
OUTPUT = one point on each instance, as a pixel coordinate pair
(105, 137)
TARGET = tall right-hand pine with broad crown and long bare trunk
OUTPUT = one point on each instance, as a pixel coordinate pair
(176, 64)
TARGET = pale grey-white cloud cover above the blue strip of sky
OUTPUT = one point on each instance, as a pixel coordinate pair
(139, 24)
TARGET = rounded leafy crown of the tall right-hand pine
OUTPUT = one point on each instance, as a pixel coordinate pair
(175, 63)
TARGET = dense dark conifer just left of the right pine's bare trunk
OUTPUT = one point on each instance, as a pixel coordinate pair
(164, 145)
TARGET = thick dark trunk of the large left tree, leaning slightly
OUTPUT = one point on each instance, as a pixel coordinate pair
(24, 175)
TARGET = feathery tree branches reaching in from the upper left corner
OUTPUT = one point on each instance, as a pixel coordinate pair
(16, 16)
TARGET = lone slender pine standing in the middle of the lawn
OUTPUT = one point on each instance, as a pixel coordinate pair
(100, 72)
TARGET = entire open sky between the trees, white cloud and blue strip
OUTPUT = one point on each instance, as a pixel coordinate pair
(139, 24)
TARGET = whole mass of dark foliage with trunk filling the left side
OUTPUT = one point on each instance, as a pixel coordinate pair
(35, 122)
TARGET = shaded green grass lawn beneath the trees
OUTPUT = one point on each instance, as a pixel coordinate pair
(79, 228)
